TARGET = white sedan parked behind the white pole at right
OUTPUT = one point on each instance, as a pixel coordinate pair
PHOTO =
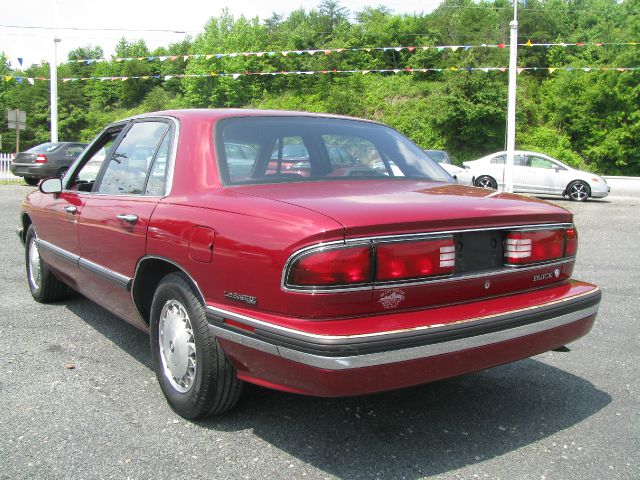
(538, 173)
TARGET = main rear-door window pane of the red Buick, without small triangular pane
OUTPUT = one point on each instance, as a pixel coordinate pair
(126, 172)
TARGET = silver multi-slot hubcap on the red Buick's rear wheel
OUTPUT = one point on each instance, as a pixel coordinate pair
(177, 346)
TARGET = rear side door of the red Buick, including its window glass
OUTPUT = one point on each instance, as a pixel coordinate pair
(113, 227)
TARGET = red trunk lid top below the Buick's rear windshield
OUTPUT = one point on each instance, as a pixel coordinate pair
(389, 207)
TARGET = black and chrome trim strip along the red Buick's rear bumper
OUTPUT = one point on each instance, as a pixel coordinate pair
(349, 352)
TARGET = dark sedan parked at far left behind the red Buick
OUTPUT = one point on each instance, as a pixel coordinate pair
(46, 160)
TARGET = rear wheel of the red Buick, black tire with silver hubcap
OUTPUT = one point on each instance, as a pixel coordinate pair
(209, 386)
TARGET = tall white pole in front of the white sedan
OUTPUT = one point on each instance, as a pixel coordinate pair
(511, 102)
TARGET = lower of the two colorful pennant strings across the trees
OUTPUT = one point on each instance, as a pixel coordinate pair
(236, 75)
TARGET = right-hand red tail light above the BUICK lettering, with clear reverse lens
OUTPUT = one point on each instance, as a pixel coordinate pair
(536, 246)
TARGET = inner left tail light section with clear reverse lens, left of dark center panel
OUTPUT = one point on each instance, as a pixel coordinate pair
(402, 260)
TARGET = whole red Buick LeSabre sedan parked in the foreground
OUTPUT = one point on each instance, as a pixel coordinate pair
(341, 279)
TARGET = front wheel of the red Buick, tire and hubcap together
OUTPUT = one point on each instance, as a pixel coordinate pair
(43, 284)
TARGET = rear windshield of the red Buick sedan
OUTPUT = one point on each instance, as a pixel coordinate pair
(288, 149)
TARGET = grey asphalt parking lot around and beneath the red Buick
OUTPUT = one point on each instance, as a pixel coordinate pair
(569, 415)
